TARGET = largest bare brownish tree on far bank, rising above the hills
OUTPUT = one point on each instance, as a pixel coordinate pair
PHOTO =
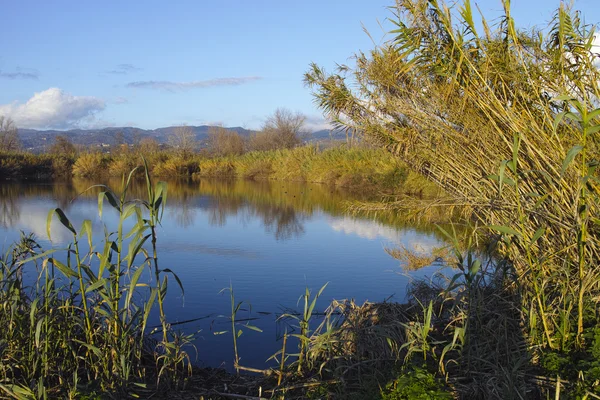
(282, 130)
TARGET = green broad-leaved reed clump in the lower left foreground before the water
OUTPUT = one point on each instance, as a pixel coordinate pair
(73, 324)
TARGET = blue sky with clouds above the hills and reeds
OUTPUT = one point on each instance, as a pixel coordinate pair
(151, 63)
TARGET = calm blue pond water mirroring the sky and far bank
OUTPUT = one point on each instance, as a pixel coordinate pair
(270, 240)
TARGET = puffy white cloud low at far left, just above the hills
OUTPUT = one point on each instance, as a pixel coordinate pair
(54, 108)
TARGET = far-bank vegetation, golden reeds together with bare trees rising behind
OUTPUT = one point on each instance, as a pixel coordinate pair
(275, 152)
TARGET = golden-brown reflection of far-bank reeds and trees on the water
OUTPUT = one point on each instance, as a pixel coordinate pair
(282, 207)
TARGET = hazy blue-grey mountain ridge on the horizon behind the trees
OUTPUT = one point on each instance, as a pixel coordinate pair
(39, 140)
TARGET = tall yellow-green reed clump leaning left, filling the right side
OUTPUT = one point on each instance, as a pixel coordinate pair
(505, 121)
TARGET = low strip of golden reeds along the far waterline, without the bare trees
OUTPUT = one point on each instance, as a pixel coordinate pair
(358, 168)
